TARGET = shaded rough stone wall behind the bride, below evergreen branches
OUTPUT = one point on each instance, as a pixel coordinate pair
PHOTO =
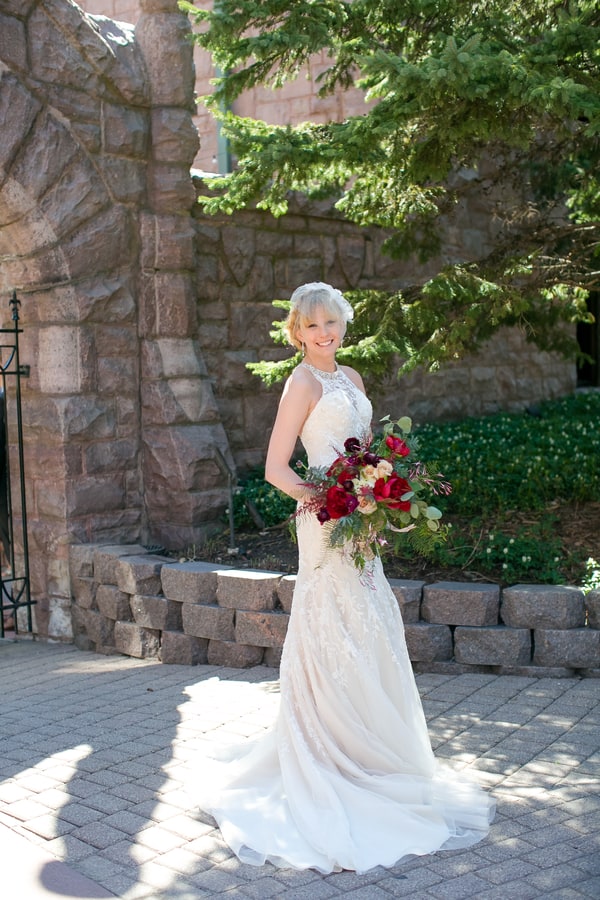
(250, 260)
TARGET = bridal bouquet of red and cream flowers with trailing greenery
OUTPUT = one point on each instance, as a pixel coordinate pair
(377, 494)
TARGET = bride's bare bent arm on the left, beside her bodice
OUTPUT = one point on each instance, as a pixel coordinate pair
(297, 400)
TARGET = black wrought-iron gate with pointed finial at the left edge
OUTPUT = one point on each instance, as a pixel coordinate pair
(15, 591)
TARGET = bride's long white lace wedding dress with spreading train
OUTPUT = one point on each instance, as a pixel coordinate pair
(346, 778)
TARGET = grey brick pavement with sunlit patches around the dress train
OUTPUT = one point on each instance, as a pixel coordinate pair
(97, 759)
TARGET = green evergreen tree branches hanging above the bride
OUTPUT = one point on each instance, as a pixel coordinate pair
(500, 94)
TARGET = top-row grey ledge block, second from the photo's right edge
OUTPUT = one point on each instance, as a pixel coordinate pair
(542, 606)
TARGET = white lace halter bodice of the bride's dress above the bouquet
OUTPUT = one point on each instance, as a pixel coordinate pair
(343, 411)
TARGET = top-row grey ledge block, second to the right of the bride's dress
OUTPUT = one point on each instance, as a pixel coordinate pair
(460, 603)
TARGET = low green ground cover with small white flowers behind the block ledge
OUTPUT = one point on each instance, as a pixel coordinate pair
(525, 504)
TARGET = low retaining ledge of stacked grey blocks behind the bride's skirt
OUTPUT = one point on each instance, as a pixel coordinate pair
(127, 600)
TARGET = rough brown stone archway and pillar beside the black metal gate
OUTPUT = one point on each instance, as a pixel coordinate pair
(96, 237)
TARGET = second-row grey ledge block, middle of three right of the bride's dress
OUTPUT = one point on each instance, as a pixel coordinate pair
(492, 646)
